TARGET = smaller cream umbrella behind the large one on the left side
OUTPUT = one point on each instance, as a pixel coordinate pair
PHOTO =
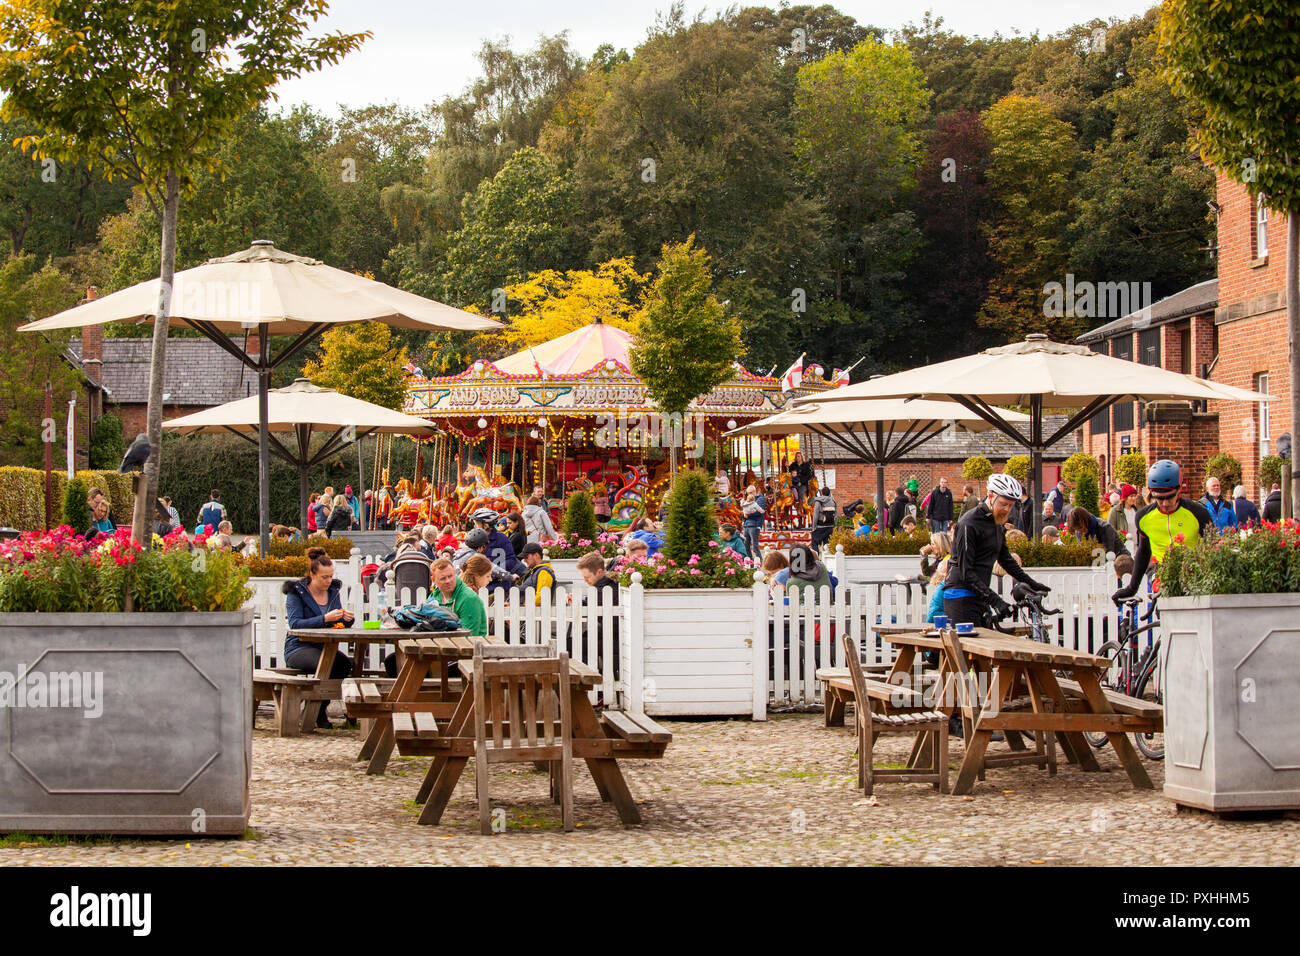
(300, 410)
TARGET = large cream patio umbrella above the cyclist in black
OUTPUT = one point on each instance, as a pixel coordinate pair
(1039, 374)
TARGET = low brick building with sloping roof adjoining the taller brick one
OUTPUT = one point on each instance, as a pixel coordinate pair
(1177, 334)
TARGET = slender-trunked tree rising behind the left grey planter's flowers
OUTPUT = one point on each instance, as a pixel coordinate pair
(148, 90)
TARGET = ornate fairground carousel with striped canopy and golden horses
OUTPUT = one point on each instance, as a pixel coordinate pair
(570, 416)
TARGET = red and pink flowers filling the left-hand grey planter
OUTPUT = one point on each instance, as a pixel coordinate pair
(60, 572)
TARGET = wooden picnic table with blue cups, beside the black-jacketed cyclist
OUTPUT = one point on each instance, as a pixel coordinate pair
(1024, 695)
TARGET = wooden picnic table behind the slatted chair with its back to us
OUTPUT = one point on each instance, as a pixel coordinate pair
(600, 742)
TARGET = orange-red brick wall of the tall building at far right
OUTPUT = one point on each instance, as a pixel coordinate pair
(1253, 330)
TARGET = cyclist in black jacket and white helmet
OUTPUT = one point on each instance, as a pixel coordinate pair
(978, 543)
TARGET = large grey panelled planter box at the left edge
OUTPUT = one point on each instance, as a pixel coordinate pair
(145, 726)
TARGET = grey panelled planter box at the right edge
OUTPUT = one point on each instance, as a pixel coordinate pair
(1232, 667)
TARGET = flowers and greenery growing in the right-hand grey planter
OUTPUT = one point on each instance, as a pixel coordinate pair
(1243, 561)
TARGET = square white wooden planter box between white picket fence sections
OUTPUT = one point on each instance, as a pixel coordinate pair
(699, 652)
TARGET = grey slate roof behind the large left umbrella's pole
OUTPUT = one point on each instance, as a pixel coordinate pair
(198, 373)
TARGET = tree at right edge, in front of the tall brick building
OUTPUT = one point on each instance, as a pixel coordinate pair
(1236, 60)
